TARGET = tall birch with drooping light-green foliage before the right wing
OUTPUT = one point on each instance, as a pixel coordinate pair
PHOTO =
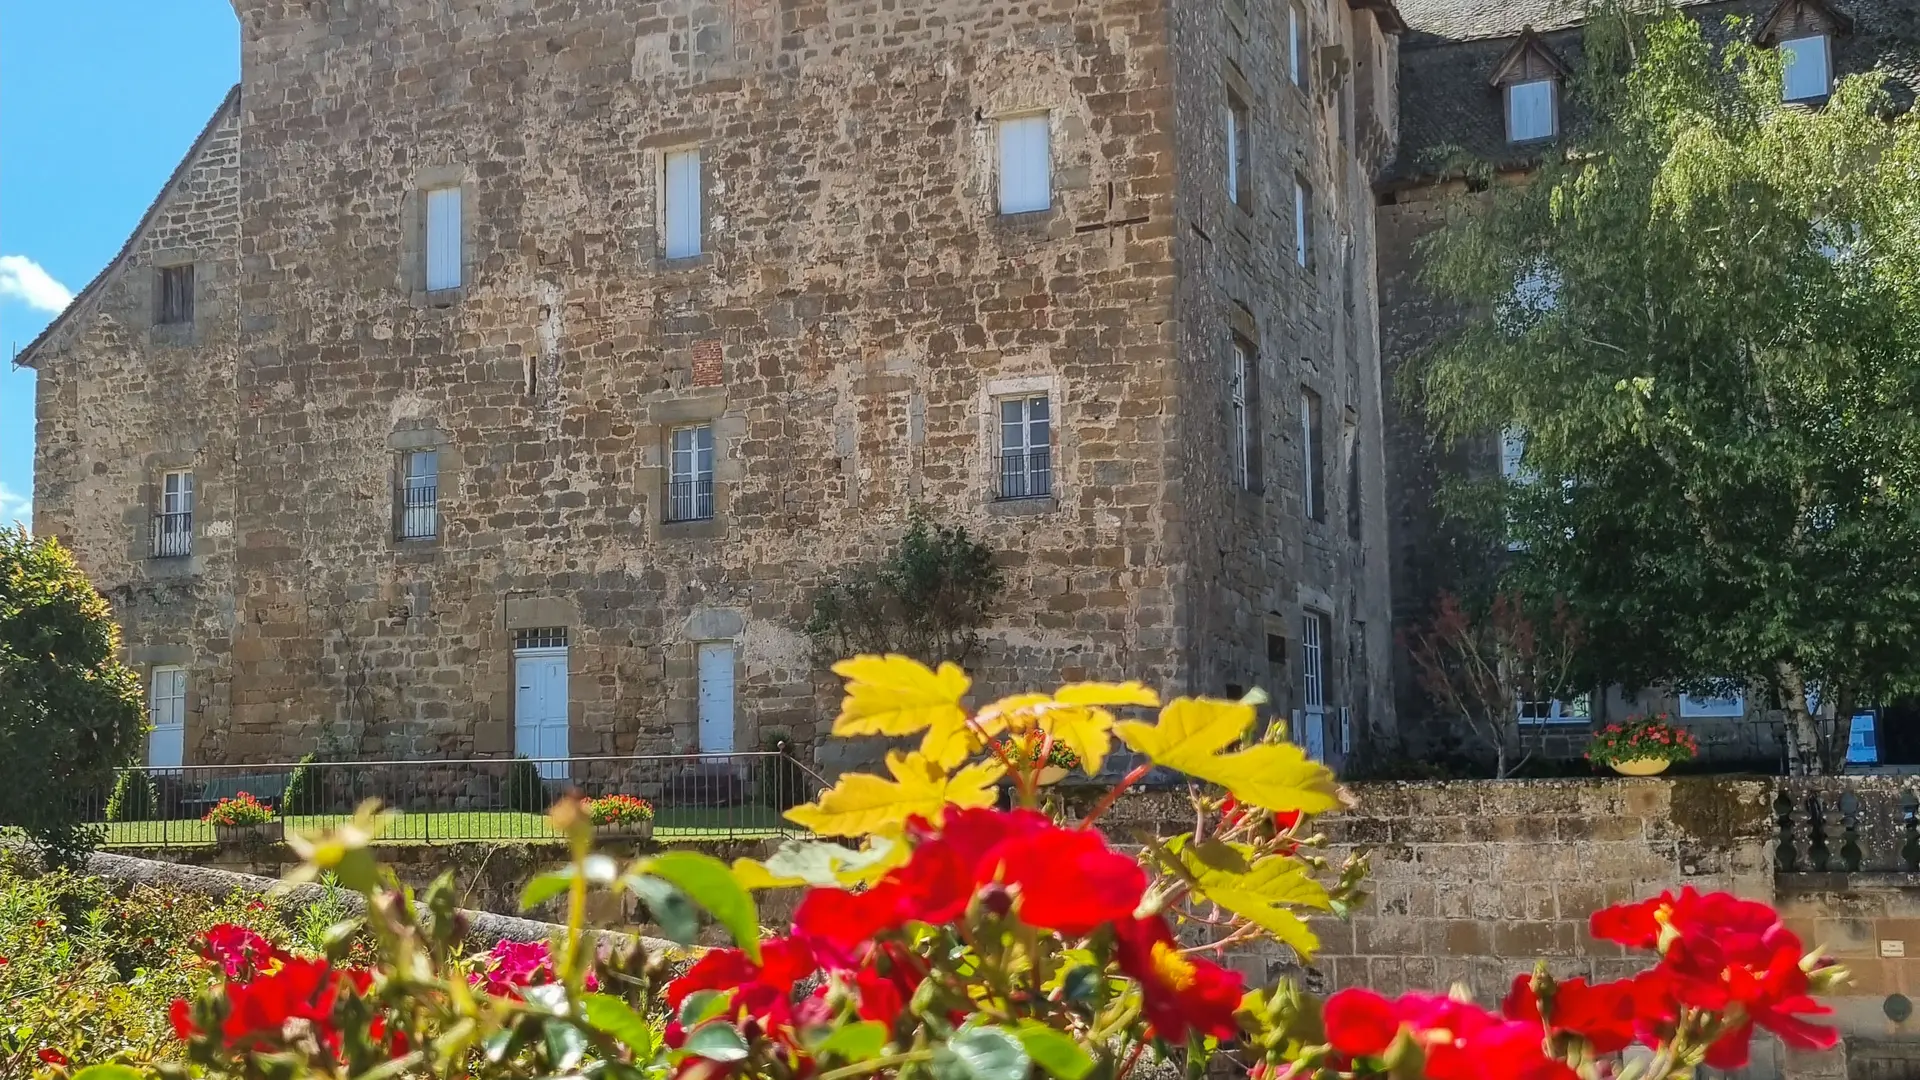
(1706, 320)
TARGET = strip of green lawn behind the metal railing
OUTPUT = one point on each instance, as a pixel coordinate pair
(468, 827)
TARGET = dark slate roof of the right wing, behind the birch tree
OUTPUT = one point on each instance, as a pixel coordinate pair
(1452, 47)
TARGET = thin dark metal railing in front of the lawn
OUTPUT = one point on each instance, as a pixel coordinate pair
(704, 797)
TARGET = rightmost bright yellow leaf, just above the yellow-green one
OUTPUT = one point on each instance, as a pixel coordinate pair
(1191, 737)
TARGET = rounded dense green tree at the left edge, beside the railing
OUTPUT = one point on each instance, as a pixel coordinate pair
(70, 714)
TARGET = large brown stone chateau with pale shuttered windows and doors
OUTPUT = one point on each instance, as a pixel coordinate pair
(508, 378)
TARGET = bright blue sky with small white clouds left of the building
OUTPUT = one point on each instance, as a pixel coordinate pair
(99, 103)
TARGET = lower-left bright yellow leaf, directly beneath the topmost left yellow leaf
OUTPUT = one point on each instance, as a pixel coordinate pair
(865, 804)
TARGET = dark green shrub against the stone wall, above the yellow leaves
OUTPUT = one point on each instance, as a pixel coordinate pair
(928, 601)
